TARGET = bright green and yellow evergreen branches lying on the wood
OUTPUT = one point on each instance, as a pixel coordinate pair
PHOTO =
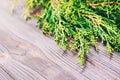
(78, 24)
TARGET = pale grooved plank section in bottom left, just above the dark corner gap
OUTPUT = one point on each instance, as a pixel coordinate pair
(20, 72)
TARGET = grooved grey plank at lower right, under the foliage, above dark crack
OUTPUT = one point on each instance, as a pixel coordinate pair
(104, 63)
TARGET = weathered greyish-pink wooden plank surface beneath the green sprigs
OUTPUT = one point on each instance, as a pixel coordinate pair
(26, 54)
